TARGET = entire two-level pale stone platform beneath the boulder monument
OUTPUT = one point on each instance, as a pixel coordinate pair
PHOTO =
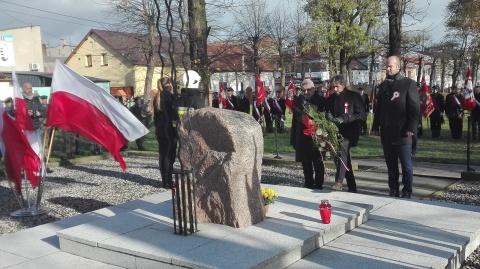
(366, 231)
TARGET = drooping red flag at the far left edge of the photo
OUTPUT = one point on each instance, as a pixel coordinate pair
(16, 151)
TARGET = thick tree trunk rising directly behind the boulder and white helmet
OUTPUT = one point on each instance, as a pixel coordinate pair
(198, 33)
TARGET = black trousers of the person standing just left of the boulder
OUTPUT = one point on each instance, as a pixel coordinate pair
(167, 150)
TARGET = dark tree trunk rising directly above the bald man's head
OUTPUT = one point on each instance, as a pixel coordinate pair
(396, 9)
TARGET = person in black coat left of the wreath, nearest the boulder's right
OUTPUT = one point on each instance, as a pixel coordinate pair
(305, 150)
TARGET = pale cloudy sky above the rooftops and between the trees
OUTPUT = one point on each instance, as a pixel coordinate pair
(72, 19)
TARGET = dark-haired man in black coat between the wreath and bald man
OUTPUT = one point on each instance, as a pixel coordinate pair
(348, 112)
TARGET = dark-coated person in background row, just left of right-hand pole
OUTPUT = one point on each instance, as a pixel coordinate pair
(454, 110)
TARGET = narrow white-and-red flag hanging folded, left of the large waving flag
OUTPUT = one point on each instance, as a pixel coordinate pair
(32, 162)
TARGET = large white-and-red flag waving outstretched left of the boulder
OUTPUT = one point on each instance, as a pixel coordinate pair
(80, 106)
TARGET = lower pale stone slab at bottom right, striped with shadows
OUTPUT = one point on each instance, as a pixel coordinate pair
(404, 234)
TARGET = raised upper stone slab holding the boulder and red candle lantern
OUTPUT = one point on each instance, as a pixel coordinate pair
(144, 238)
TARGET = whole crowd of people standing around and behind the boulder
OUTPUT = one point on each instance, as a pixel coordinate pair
(397, 119)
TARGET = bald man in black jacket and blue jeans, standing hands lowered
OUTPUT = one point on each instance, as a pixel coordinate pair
(396, 119)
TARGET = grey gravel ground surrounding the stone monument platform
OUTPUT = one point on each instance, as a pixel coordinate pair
(78, 189)
